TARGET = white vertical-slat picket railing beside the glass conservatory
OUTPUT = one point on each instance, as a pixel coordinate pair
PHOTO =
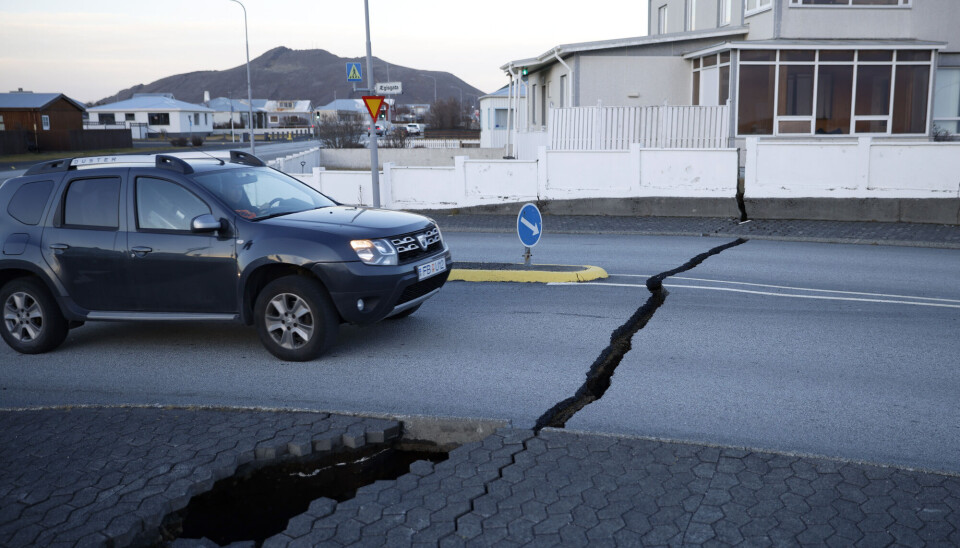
(614, 128)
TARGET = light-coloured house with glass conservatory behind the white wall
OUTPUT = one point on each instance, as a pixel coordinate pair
(791, 68)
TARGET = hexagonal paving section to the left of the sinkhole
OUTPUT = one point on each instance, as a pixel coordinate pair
(101, 476)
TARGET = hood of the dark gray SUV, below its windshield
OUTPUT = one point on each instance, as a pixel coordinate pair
(377, 222)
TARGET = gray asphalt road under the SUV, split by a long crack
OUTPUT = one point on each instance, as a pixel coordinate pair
(852, 355)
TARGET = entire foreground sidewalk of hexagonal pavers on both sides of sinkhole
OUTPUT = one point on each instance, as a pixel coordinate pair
(101, 476)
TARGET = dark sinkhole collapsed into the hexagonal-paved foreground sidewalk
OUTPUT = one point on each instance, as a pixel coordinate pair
(257, 503)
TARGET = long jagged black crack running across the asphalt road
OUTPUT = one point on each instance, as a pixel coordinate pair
(603, 368)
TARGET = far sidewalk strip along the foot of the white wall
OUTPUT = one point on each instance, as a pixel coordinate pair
(903, 234)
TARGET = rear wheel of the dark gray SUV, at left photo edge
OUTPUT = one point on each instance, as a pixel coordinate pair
(32, 322)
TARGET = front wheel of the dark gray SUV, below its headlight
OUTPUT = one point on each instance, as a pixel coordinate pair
(295, 318)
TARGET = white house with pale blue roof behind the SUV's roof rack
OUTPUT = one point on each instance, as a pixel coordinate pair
(155, 114)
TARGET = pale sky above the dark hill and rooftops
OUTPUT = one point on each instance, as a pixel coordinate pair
(91, 49)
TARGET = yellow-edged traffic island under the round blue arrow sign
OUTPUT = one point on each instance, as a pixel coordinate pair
(519, 272)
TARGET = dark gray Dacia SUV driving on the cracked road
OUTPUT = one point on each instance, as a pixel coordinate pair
(168, 238)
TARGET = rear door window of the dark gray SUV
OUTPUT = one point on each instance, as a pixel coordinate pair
(93, 203)
